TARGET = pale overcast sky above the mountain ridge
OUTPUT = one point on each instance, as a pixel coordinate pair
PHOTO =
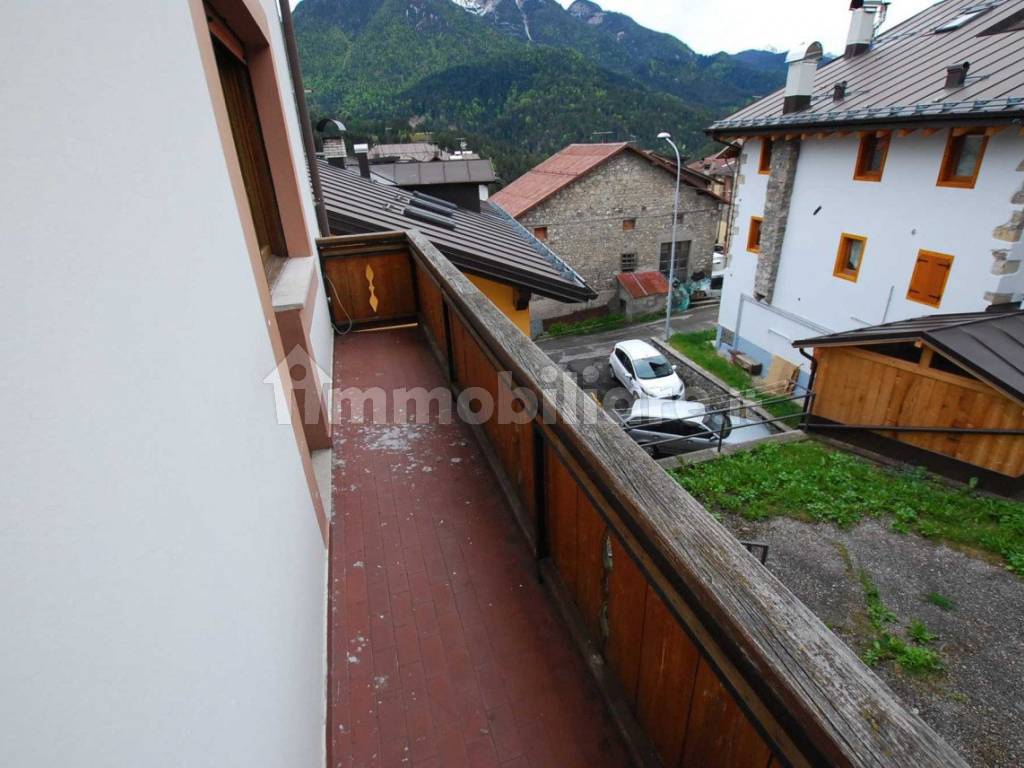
(711, 26)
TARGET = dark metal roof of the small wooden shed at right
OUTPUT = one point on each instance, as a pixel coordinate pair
(989, 345)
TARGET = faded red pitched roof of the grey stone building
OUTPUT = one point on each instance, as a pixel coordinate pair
(572, 164)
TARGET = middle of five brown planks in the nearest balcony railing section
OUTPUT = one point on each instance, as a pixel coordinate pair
(627, 605)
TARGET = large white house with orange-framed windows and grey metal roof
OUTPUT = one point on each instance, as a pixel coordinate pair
(884, 186)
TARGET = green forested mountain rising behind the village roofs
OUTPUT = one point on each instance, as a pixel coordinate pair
(519, 79)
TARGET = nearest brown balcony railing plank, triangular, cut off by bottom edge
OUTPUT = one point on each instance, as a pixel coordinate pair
(718, 735)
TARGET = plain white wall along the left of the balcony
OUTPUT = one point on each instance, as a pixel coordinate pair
(162, 576)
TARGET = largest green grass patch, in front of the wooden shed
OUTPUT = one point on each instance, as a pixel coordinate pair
(810, 482)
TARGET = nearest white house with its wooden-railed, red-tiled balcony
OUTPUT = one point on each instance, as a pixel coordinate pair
(183, 584)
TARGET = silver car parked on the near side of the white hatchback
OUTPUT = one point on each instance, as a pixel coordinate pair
(671, 428)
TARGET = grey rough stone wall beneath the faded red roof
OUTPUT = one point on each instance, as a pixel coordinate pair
(585, 225)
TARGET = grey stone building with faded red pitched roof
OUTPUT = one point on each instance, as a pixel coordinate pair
(607, 209)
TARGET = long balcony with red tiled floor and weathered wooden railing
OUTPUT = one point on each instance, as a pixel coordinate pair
(533, 589)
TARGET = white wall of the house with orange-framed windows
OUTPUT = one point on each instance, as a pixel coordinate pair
(901, 216)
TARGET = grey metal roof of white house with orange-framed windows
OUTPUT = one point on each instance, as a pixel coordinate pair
(903, 77)
